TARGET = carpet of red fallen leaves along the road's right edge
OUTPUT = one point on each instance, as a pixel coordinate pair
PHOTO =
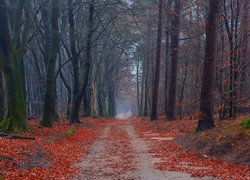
(175, 159)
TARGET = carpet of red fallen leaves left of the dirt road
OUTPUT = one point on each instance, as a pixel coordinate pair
(61, 151)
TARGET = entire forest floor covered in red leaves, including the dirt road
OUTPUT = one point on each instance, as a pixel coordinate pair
(121, 149)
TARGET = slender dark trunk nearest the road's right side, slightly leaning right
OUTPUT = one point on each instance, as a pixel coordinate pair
(155, 92)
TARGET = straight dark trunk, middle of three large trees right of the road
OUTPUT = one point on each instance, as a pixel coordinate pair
(174, 59)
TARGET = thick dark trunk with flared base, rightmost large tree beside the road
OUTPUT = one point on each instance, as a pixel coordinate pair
(206, 104)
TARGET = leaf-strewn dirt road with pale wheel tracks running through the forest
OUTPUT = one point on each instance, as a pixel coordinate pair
(118, 153)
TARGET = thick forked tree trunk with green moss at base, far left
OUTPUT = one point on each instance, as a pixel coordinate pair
(12, 49)
